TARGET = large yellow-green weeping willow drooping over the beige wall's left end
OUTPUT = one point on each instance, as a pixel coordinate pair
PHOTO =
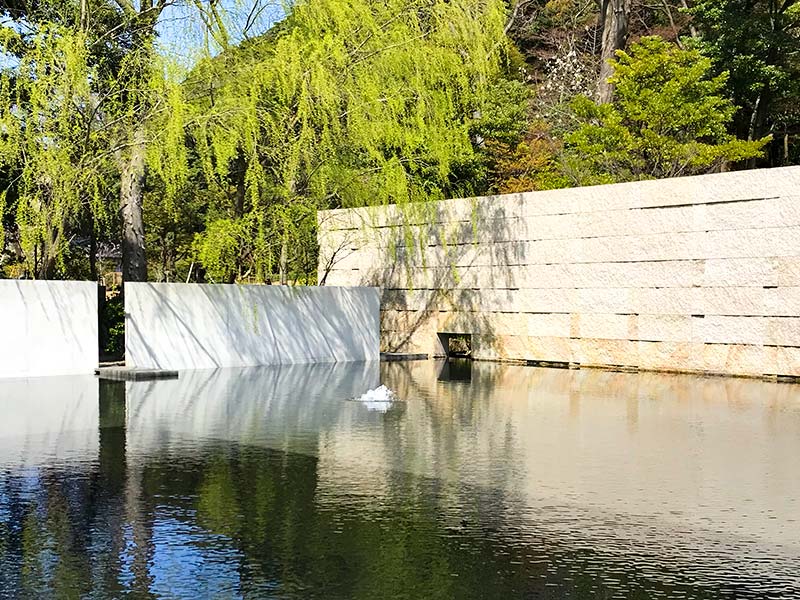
(345, 103)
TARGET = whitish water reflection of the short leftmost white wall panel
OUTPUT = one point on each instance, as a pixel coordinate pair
(48, 420)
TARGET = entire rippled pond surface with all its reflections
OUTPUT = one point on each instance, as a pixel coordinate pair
(487, 481)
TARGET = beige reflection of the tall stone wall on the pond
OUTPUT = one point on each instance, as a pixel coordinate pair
(639, 456)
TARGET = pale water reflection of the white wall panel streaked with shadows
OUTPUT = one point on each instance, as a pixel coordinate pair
(274, 406)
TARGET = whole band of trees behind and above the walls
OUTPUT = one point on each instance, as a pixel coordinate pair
(110, 150)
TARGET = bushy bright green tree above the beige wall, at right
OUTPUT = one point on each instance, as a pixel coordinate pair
(669, 118)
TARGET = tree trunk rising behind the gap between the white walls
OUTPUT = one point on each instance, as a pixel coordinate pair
(134, 260)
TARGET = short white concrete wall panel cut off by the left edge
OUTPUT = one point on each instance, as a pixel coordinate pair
(48, 328)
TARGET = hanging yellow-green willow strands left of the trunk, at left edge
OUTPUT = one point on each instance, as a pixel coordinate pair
(50, 144)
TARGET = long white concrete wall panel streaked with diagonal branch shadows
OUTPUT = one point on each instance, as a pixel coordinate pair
(191, 326)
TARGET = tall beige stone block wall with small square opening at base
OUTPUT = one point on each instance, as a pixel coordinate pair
(690, 274)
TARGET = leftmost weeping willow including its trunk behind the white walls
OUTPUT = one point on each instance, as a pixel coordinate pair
(81, 90)
